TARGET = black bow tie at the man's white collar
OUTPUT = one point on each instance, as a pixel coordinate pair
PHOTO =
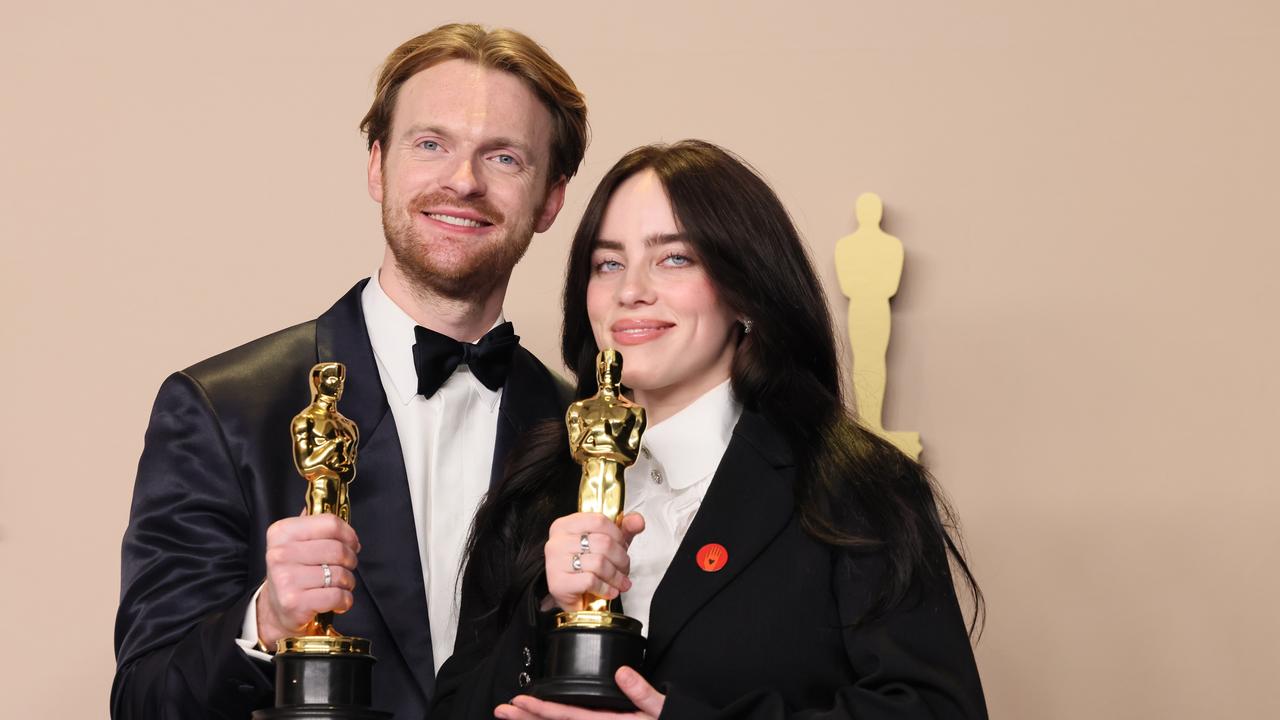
(437, 357)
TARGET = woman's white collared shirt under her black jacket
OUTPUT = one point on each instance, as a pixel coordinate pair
(668, 484)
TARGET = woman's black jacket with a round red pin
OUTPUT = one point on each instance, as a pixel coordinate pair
(775, 634)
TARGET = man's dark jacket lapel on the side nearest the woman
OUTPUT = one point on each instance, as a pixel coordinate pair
(529, 397)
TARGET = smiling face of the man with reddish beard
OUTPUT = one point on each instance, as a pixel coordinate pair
(464, 179)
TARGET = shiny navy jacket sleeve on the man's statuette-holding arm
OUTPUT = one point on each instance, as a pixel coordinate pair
(185, 582)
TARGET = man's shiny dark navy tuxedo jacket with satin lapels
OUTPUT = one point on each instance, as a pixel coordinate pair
(217, 470)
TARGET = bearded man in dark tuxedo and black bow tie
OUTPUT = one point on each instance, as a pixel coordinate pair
(473, 138)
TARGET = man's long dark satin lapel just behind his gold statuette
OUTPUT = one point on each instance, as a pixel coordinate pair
(382, 513)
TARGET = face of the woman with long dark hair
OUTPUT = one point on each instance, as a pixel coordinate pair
(650, 299)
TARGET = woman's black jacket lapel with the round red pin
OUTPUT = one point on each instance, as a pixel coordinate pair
(748, 504)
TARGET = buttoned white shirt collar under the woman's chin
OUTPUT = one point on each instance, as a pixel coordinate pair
(691, 444)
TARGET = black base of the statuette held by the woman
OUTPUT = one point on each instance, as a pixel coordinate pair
(582, 663)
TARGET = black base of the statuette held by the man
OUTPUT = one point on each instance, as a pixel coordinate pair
(330, 687)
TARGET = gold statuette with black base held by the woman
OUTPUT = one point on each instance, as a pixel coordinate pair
(589, 645)
